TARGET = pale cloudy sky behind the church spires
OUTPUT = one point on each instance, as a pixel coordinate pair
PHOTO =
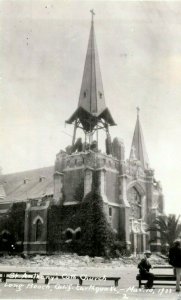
(42, 53)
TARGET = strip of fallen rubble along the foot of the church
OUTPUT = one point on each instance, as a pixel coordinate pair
(73, 260)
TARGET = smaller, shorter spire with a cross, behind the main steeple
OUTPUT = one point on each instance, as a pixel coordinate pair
(138, 149)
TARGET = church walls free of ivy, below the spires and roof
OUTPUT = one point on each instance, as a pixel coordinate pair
(131, 195)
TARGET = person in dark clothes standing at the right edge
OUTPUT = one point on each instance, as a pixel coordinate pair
(175, 260)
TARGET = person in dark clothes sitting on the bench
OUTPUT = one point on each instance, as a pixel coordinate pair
(144, 269)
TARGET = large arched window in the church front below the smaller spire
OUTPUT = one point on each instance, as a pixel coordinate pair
(134, 200)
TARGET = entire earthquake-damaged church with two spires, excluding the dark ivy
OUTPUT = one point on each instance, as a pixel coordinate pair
(131, 195)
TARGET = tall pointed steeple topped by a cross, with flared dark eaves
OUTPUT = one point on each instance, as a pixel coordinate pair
(92, 113)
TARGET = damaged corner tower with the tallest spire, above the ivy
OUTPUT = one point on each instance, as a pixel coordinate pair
(82, 168)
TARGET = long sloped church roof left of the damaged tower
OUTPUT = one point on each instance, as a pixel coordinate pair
(27, 184)
